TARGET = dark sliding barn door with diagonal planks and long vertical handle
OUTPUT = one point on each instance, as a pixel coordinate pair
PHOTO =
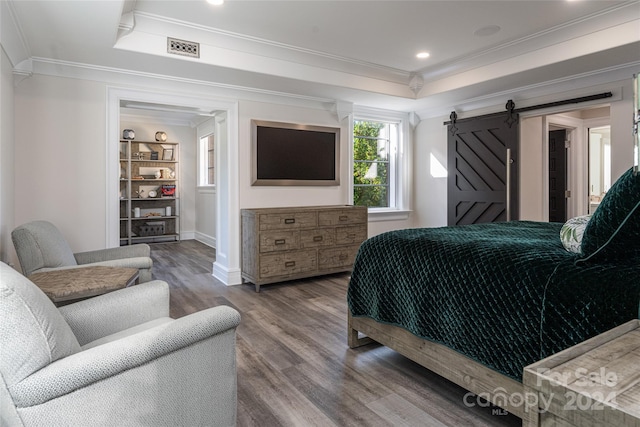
(483, 172)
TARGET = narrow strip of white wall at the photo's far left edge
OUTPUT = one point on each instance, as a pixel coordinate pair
(7, 199)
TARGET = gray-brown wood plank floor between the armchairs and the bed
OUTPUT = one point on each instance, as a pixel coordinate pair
(294, 365)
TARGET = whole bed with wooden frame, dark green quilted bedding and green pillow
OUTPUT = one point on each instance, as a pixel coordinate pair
(478, 303)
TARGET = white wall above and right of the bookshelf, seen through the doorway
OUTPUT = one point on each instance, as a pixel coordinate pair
(145, 130)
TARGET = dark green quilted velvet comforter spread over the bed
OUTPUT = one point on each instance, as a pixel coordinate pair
(503, 294)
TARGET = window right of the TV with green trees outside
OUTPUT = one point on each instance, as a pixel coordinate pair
(380, 161)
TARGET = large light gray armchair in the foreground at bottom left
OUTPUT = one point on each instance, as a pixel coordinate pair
(113, 360)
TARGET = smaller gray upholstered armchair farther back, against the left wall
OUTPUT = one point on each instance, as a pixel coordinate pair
(41, 247)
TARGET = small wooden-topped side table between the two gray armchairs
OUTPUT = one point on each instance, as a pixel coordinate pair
(72, 284)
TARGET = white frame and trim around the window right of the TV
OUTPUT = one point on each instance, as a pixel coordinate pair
(400, 163)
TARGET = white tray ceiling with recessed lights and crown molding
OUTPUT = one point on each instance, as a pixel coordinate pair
(353, 51)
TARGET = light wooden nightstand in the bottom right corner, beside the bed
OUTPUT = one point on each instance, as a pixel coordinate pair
(594, 383)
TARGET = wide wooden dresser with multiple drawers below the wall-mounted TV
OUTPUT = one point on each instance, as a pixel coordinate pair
(280, 244)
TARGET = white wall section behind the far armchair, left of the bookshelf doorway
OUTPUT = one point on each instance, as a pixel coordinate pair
(60, 165)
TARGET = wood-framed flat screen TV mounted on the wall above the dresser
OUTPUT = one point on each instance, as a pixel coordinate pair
(292, 154)
